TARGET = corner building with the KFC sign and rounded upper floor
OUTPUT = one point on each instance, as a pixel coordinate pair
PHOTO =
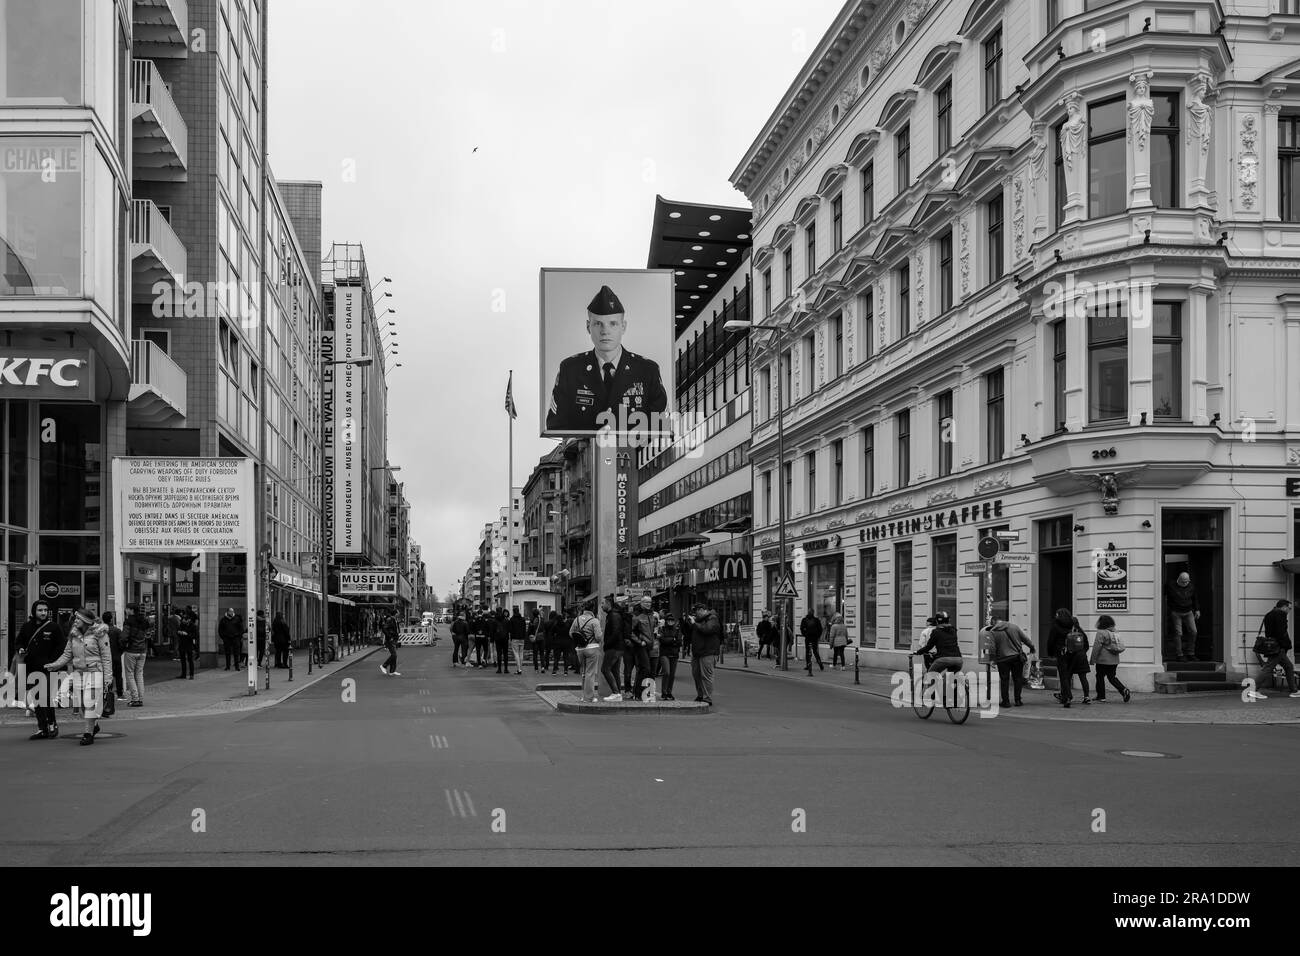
(66, 291)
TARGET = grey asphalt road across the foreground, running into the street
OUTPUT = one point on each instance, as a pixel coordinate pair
(421, 769)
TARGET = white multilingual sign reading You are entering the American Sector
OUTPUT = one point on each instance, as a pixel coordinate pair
(184, 504)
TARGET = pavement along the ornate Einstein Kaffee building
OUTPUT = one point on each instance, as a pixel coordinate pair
(1039, 706)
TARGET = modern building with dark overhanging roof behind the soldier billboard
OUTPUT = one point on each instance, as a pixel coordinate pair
(695, 492)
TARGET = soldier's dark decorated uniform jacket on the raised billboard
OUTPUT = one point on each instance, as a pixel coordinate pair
(580, 397)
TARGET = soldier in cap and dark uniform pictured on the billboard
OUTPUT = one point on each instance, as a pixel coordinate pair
(606, 384)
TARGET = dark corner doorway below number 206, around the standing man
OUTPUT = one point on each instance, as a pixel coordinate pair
(1193, 543)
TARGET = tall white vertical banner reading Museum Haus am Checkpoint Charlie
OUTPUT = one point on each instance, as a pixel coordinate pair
(349, 380)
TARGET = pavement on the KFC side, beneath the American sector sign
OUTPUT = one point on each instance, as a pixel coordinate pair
(214, 691)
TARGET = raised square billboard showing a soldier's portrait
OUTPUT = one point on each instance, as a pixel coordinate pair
(606, 353)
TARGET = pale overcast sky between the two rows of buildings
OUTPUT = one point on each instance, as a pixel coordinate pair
(582, 113)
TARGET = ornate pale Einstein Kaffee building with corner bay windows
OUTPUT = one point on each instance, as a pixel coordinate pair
(1033, 266)
